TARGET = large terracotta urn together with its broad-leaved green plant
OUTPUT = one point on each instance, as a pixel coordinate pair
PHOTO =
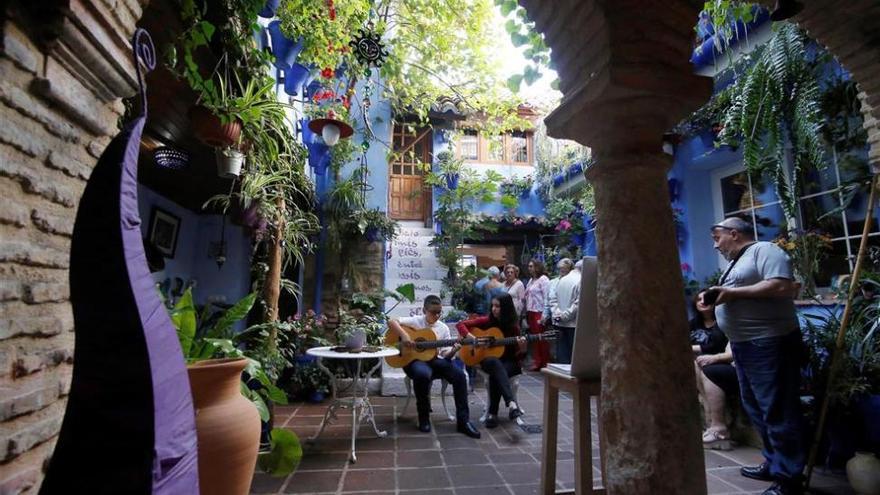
(215, 363)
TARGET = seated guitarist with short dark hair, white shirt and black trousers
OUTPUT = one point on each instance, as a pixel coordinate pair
(423, 372)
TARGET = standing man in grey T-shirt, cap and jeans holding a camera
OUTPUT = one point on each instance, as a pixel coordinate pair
(754, 306)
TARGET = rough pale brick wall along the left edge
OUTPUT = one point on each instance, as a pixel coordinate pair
(63, 69)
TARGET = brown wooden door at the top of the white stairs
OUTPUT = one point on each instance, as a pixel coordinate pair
(407, 194)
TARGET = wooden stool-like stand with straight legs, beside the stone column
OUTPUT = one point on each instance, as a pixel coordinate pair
(581, 391)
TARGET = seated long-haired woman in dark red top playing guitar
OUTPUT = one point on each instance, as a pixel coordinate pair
(502, 315)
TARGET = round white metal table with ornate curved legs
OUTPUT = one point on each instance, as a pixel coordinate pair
(361, 408)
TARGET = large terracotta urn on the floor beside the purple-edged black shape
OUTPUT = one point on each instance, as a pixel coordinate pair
(227, 427)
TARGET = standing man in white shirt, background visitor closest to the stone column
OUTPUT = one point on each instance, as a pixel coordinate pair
(564, 308)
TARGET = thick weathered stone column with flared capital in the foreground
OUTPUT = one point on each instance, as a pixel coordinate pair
(624, 71)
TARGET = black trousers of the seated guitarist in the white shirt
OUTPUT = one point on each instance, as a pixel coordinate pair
(423, 373)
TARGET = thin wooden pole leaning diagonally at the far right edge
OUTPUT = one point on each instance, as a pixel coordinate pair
(841, 333)
